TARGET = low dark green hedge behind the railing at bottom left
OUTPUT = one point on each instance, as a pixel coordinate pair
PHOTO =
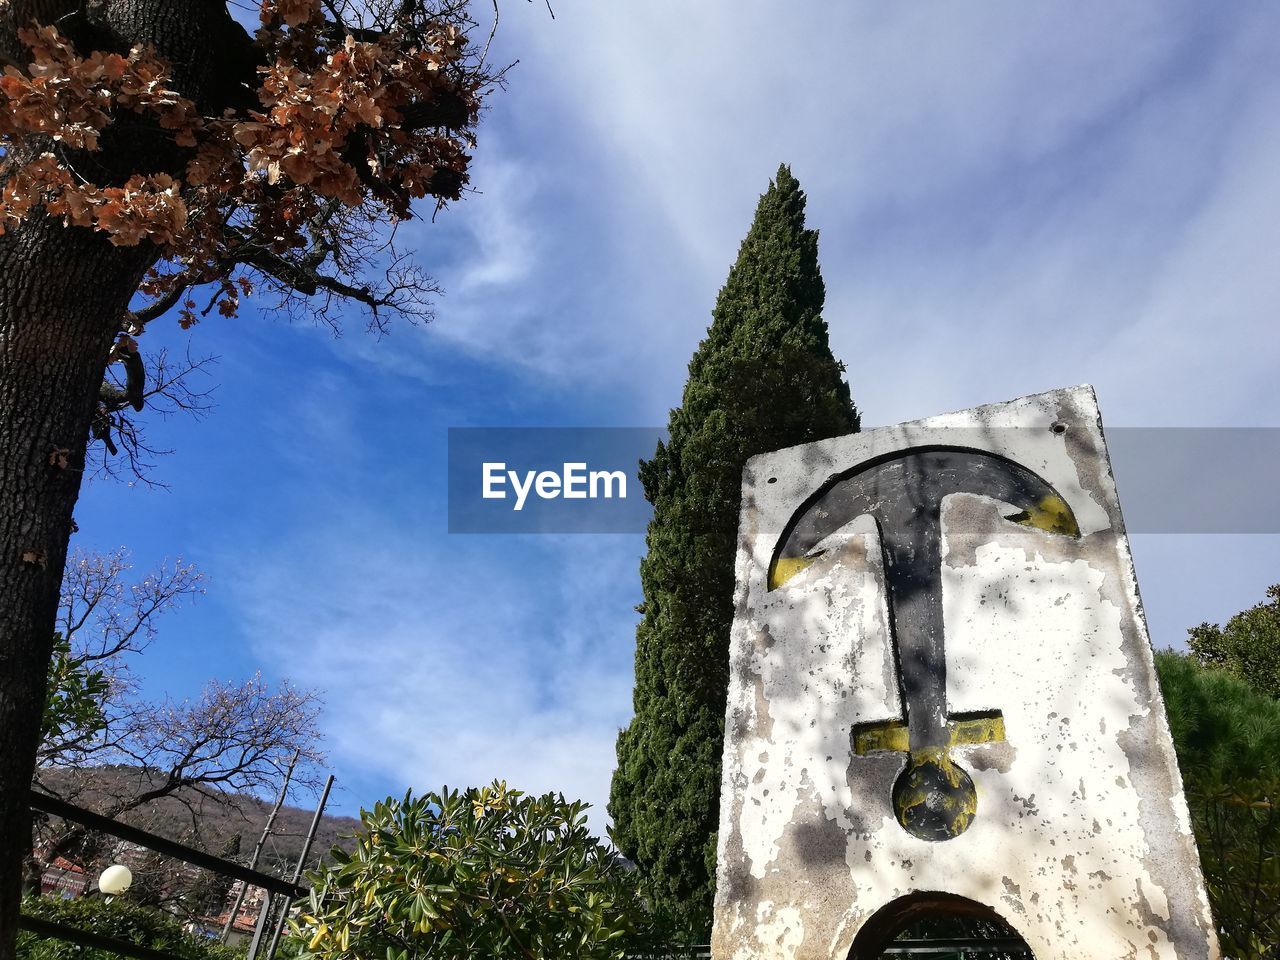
(115, 918)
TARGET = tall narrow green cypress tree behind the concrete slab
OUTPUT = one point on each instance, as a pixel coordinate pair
(762, 380)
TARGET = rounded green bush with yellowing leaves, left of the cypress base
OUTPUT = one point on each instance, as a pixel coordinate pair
(479, 874)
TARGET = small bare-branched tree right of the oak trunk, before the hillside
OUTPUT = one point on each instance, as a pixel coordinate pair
(180, 770)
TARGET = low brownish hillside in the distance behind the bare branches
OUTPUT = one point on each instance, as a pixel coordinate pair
(223, 826)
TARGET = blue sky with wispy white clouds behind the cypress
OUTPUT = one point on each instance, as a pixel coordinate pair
(1012, 198)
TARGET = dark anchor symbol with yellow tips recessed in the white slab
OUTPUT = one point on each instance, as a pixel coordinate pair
(934, 798)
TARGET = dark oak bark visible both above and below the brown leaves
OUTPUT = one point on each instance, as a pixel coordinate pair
(63, 292)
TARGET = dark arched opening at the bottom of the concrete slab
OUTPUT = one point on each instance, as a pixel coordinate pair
(936, 926)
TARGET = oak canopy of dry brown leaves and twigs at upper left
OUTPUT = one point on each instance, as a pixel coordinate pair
(332, 118)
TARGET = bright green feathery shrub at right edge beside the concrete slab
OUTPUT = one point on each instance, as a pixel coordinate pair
(1228, 742)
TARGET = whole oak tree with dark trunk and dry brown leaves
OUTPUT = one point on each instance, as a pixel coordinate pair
(161, 158)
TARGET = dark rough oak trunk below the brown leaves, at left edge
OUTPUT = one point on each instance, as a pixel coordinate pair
(62, 296)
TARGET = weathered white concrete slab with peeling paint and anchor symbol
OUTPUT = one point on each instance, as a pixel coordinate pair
(991, 730)
